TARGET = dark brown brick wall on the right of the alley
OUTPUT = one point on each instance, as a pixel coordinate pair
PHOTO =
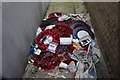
(104, 18)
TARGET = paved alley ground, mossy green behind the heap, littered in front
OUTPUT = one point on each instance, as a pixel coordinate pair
(66, 8)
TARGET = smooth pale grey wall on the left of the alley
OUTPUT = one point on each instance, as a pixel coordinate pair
(19, 24)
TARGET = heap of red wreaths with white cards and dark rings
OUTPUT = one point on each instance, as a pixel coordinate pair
(56, 39)
